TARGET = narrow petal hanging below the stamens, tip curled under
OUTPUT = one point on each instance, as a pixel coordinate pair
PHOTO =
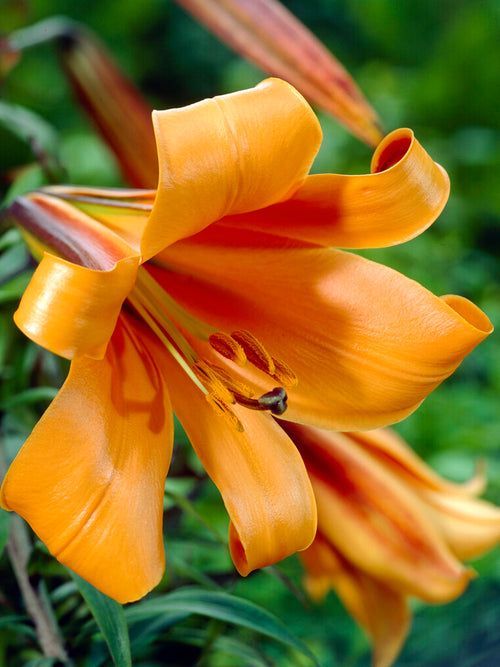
(258, 472)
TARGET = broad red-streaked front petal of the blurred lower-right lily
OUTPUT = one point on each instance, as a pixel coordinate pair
(374, 520)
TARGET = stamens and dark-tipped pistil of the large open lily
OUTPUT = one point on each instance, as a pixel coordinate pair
(168, 320)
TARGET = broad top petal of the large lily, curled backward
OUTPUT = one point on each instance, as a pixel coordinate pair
(229, 154)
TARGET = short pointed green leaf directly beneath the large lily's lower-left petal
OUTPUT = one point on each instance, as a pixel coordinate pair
(110, 618)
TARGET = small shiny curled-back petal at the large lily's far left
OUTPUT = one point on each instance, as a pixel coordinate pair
(72, 310)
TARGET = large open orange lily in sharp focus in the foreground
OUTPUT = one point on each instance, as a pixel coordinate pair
(180, 298)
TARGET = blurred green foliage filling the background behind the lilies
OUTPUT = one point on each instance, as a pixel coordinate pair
(433, 65)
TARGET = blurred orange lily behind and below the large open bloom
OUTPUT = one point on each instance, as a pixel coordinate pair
(388, 528)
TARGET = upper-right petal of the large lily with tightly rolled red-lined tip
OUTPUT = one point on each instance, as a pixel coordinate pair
(403, 196)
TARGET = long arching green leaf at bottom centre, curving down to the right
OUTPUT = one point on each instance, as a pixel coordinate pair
(223, 607)
